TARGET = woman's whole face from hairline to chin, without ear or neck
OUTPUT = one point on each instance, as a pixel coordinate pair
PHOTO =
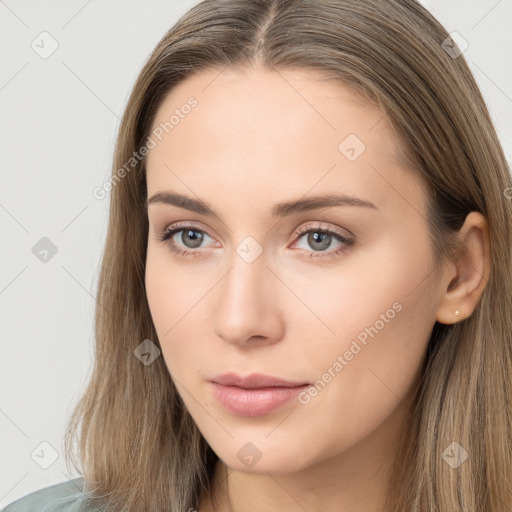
(337, 295)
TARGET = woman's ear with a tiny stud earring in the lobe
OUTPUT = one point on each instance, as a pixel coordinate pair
(465, 279)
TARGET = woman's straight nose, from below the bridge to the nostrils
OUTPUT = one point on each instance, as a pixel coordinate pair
(248, 310)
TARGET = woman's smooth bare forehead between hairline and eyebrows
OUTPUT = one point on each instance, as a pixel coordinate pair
(268, 131)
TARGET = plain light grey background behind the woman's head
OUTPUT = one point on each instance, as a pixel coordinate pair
(59, 119)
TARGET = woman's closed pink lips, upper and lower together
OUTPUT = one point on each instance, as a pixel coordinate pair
(254, 395)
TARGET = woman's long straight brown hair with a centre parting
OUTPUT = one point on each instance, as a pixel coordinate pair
(138, 445)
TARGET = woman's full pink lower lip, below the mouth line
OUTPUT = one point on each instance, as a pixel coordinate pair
(254, 402)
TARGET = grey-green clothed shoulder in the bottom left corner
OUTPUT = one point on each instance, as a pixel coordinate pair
(64, 497)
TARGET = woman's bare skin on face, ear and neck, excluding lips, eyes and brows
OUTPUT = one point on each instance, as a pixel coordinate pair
(257, 138)
